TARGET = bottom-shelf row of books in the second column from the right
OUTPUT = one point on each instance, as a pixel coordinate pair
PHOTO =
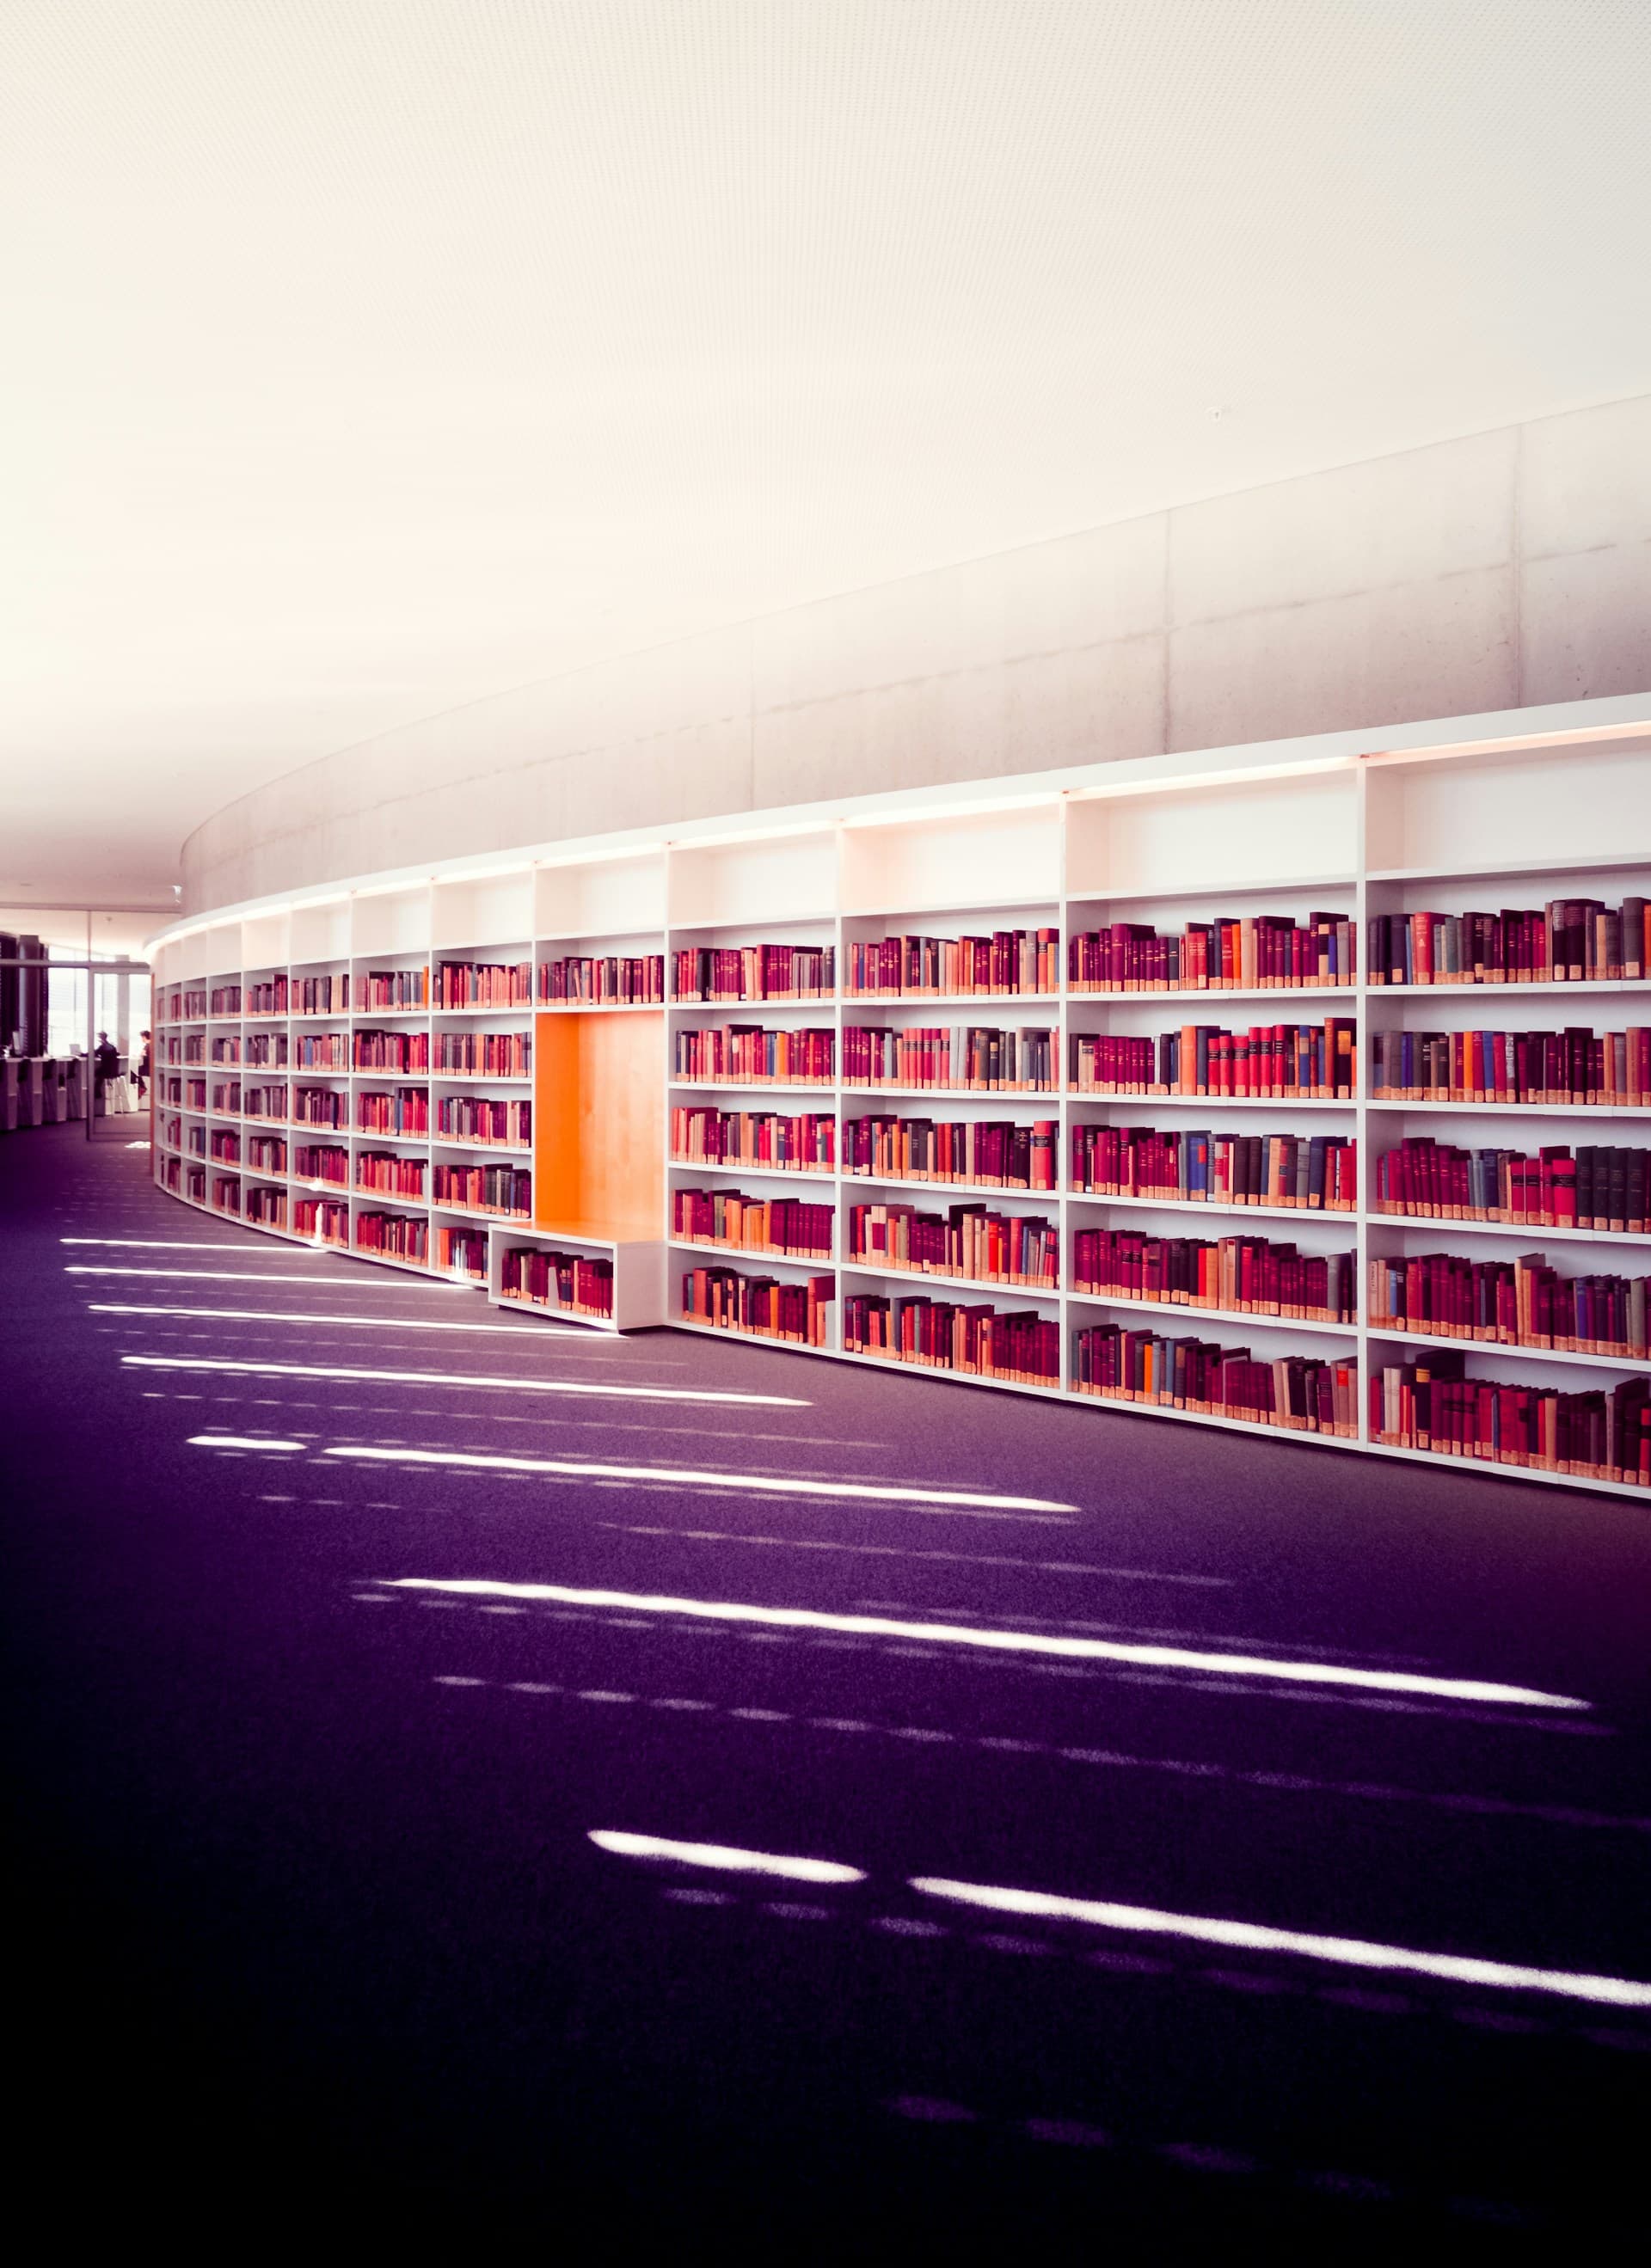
(1303, 1394)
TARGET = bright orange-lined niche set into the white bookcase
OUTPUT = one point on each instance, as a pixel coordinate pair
(600, 1124)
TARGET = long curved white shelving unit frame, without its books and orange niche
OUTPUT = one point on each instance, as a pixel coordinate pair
(1552, 804)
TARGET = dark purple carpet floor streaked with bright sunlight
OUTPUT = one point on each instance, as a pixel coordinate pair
(316, 1927)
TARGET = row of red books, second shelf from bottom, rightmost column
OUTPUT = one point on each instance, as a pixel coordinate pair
(1521, 1303)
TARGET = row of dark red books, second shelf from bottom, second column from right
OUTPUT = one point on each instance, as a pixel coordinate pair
(1237, 1273)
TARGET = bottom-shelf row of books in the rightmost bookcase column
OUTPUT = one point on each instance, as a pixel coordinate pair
(1591, 1435)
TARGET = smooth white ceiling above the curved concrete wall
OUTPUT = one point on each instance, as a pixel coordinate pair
(369, 357)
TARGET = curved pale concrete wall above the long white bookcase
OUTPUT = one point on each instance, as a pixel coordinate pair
(1505, 570)
